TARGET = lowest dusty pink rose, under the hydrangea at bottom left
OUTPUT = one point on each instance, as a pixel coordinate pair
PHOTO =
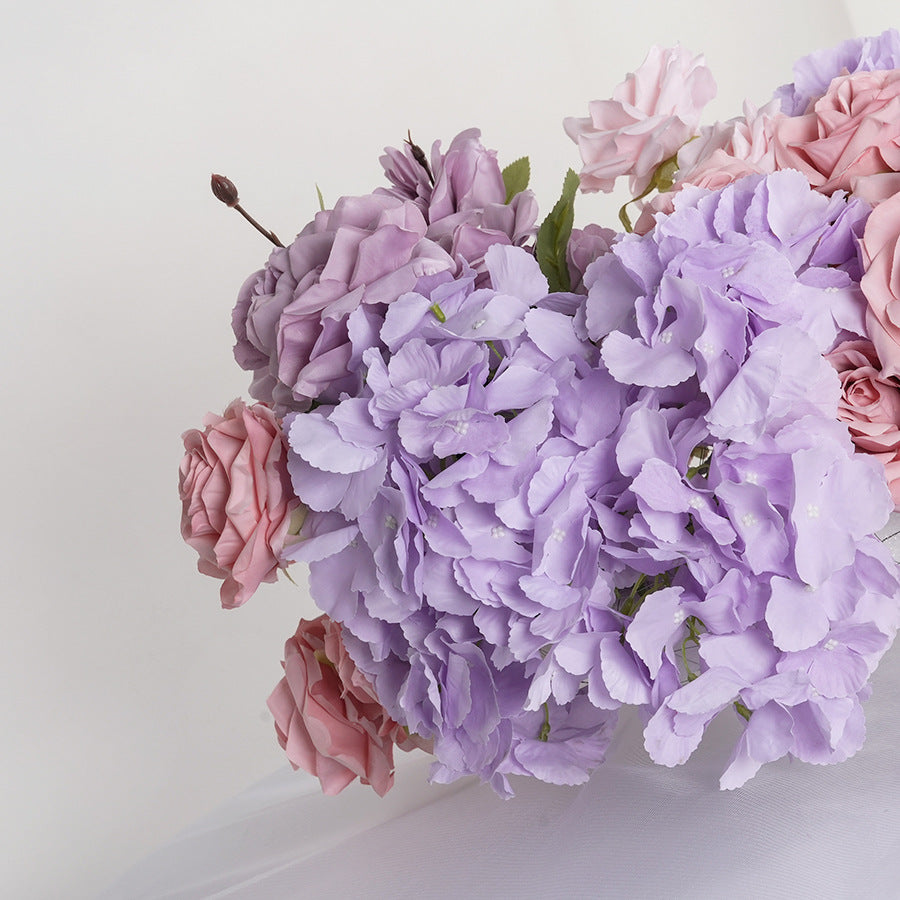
(327, 716)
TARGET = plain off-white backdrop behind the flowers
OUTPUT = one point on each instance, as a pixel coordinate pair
(130, 702)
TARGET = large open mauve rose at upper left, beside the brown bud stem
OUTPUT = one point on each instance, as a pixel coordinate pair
(290, 320)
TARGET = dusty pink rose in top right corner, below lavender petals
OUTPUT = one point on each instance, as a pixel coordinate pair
(851, 133)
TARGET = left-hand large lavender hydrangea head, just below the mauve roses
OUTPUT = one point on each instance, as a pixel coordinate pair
(450, 529)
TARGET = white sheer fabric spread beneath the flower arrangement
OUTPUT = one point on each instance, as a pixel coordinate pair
(635, 830)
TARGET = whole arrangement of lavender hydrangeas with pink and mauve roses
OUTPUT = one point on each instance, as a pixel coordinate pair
(542, 473)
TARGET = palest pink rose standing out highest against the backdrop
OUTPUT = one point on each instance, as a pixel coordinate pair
(651, 114)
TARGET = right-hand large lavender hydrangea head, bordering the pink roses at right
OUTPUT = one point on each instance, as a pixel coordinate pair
(739, 481)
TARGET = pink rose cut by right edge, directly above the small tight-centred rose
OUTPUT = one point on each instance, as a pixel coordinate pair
(881, 282)
